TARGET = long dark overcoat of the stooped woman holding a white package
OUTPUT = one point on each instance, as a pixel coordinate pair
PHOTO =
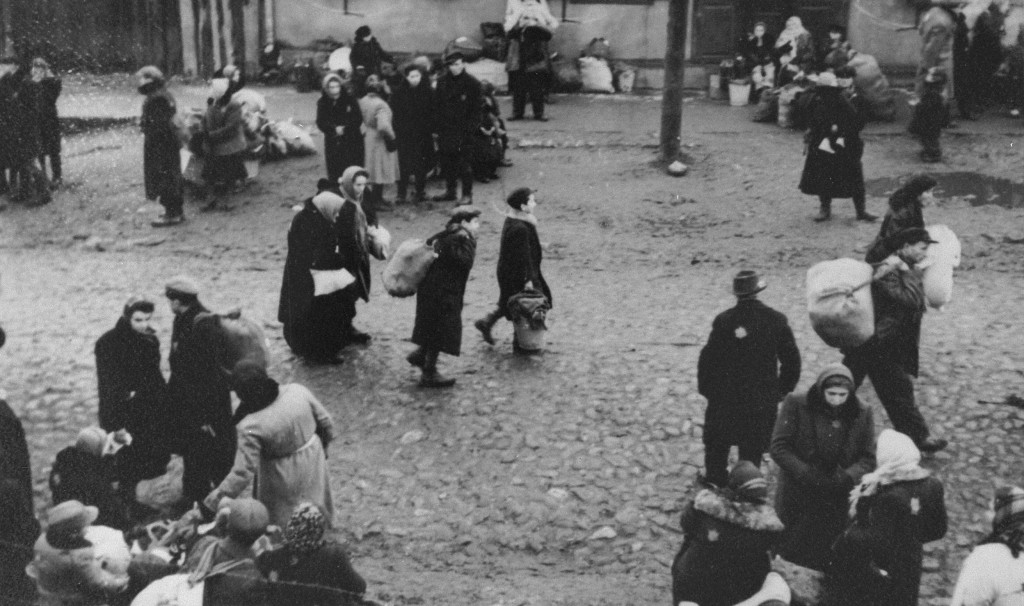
(313, 325)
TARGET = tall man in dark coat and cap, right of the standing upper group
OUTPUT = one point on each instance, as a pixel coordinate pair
(458, 120)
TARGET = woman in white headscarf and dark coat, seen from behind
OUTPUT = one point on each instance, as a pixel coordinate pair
(895, 510)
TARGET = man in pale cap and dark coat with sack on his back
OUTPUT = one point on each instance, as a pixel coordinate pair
(200, 398)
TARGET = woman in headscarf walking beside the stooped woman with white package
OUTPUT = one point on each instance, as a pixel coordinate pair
(354, 220)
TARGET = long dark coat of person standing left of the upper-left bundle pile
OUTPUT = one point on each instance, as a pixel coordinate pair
(161, 160)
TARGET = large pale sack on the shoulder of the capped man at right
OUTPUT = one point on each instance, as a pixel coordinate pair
(839, 301)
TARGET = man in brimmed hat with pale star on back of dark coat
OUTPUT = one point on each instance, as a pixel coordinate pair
(751, 362)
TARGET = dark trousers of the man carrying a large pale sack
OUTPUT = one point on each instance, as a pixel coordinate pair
(893, 386)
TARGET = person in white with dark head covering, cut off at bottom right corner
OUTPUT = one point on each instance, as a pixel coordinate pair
(994, 574)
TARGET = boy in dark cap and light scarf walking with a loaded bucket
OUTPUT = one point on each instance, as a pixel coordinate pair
(520, 258)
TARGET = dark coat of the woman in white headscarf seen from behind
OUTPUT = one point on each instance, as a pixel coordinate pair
(888, 534)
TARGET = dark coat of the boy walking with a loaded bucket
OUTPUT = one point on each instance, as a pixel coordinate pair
(520, 262)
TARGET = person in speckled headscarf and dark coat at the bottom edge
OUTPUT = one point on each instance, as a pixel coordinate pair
(310, 568)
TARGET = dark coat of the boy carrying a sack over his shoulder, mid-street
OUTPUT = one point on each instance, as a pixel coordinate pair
(440, 297)
